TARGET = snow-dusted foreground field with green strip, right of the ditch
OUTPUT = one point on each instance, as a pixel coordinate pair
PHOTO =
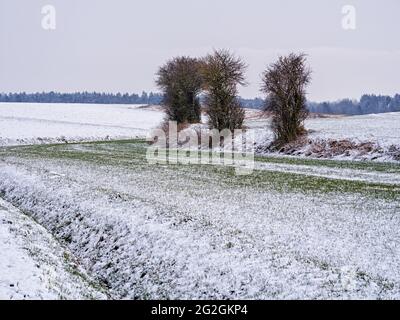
(199, 232)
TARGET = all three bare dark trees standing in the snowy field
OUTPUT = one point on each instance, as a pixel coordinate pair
(218, 75)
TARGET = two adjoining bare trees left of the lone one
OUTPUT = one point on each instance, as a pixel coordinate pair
(217, 76)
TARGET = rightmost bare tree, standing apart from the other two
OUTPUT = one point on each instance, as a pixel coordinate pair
(284, 83)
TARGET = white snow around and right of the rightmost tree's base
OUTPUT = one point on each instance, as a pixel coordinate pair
(382, 130)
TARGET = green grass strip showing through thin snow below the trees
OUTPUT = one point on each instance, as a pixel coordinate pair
(131, 154)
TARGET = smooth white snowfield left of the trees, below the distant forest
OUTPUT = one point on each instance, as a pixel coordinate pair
(28, 123)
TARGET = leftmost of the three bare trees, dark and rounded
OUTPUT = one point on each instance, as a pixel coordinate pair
(181, 82)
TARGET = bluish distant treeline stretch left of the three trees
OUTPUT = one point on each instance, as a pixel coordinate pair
(83, 97)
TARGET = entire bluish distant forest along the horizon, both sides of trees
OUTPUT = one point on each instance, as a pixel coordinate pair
(366, 105)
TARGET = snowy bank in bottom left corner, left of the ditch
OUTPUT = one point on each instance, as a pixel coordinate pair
(33, 265)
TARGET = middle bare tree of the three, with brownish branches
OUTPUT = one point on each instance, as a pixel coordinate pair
(222, 73)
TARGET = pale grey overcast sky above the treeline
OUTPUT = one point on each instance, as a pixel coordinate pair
(111, 46)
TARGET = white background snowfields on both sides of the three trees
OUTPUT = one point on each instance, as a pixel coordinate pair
(37, 123)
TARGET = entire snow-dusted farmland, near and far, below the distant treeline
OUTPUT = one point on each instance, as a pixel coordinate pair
(297, 228)
